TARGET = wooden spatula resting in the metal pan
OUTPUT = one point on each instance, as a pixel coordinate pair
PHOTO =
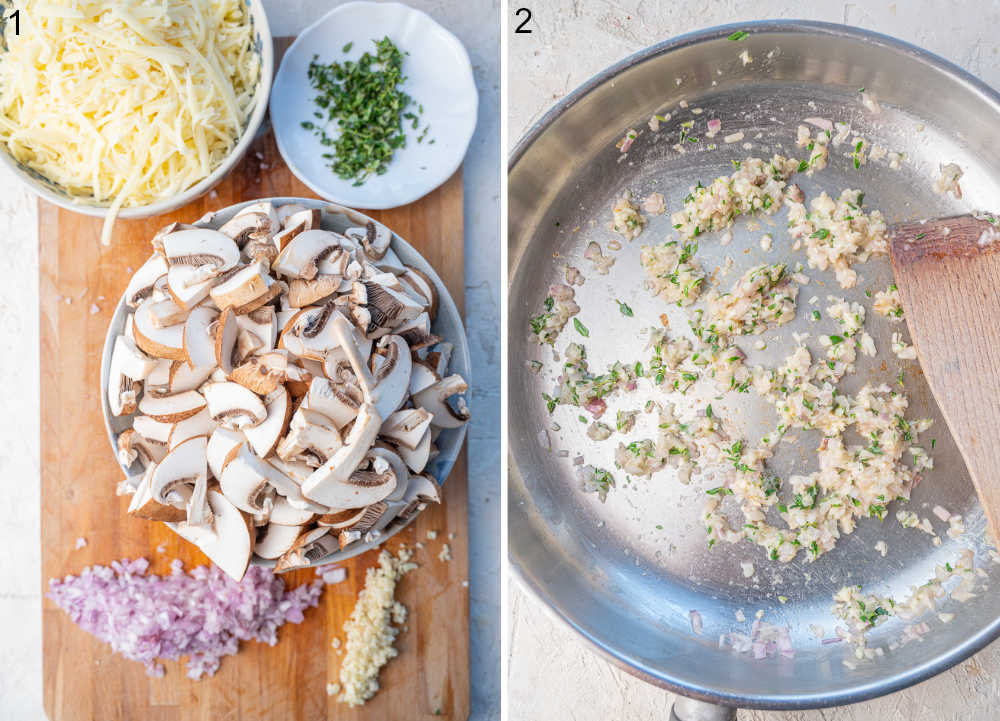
(948, 274)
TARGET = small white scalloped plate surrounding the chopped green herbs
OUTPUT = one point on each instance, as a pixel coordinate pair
(438, 76)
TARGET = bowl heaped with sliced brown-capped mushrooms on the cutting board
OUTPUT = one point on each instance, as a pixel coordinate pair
(283, 384)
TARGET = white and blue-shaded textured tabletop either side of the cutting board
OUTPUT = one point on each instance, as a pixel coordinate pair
(476, 23)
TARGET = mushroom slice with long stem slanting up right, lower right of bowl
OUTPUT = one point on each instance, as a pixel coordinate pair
(331, 483)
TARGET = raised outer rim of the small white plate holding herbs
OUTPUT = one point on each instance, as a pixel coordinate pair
(407, 199)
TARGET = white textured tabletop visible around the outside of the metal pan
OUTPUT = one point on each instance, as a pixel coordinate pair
(552, 673)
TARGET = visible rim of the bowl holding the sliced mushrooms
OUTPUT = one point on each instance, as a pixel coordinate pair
(446, 304)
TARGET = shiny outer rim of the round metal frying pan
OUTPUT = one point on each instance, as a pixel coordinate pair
(847, 694)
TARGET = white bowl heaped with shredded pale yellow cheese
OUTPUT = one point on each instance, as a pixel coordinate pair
(131, 109)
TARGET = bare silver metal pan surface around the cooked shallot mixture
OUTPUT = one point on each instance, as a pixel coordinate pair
(626, 573)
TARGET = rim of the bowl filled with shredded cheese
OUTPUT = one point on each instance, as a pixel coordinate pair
(208, 182)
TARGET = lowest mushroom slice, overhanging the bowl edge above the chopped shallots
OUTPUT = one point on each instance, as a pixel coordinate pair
(229, 542)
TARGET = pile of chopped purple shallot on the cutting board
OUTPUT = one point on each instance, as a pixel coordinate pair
(202, 614)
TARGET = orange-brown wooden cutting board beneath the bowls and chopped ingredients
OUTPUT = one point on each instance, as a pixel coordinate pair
(80, 283)
